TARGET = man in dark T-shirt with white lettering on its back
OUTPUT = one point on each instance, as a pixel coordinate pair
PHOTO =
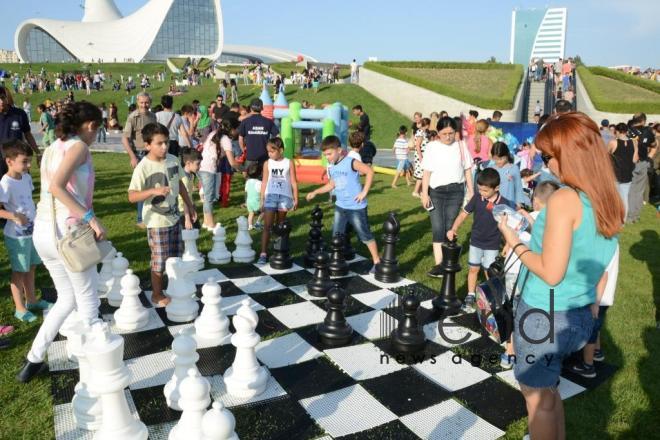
(254, 133)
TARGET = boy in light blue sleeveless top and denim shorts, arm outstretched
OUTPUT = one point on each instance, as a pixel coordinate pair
(351, 204)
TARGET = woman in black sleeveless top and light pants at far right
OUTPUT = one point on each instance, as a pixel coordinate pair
(624, 157)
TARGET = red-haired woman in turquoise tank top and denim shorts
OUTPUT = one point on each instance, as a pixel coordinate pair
(573, 239)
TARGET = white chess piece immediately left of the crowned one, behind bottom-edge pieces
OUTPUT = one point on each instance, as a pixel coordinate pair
(185, 357)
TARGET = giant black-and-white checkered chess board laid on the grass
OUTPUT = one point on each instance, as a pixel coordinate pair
(354, 392)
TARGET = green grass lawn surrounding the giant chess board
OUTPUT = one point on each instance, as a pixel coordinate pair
(627, 406)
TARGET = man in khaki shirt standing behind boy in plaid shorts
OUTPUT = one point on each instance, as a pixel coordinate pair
(132, 137)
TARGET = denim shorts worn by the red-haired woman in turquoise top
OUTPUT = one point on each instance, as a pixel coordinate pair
(538, 364)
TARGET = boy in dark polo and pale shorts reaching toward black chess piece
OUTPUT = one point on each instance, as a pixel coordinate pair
(485, 238)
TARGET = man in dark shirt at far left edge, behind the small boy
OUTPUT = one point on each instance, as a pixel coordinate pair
(14, 124)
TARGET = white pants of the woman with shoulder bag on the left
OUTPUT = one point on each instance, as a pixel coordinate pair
(74, 290)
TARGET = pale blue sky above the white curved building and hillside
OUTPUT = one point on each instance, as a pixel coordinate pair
(602, 32)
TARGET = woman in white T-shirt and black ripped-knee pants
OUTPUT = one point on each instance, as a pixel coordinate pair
(447, 169)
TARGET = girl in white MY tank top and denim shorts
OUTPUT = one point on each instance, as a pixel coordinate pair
(279, 191)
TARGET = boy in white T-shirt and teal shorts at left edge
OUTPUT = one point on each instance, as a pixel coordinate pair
(19, 211)
